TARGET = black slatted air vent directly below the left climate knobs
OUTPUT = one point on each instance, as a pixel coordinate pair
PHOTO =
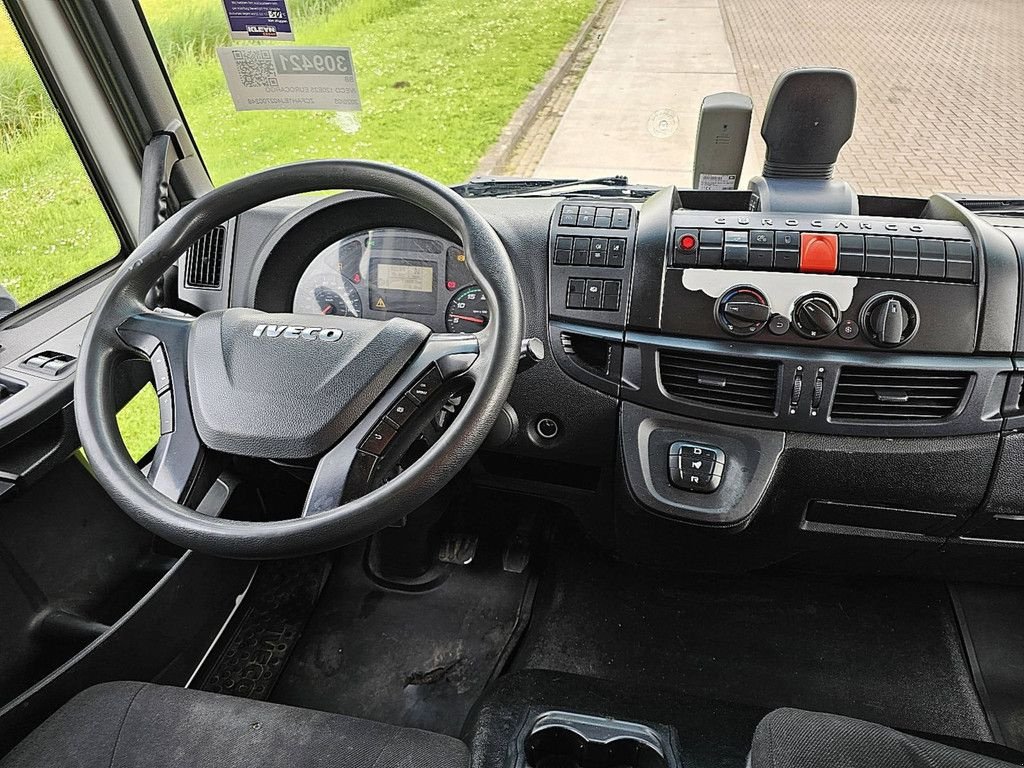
(735, 383)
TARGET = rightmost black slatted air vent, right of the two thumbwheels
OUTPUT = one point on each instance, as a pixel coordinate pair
(886, 395)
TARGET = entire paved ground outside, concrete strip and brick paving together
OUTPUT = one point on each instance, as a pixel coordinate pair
(942, 89)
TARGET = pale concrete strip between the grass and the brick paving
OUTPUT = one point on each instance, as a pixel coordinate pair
(636, 109)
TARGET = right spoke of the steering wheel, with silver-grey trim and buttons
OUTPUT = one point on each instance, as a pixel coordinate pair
(345, 472)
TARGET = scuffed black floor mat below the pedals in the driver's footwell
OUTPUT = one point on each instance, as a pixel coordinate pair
(418, 660)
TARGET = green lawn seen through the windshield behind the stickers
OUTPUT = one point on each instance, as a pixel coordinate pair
(438, 80)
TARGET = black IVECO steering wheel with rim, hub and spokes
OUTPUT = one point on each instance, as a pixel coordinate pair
(288, 387)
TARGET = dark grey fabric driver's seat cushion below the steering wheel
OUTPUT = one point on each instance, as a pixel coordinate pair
(139, 726)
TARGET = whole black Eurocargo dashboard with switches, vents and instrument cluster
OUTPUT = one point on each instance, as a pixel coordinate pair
(720, 387)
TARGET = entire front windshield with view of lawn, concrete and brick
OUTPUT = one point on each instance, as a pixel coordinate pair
(580, 90)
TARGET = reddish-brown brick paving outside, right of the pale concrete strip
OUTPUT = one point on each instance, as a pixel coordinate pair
(942, 84)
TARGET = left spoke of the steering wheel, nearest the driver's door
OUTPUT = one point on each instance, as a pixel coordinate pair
(163, 338)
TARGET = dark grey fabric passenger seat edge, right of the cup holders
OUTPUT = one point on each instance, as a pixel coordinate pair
(795, 739)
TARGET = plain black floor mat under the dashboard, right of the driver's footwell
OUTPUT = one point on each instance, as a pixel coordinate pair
(879, 650)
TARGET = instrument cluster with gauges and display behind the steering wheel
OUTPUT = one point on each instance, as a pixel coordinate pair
(395, 272)
